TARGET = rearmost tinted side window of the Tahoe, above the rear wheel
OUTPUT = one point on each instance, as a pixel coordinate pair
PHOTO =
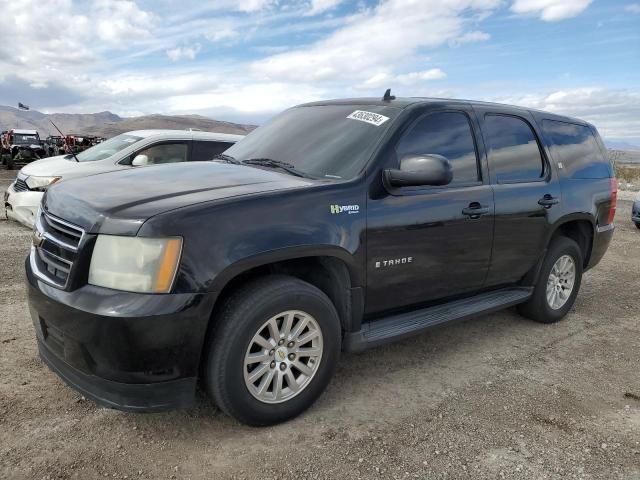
(576, 150)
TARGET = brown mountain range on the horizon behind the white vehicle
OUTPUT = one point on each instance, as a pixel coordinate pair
(107, 124)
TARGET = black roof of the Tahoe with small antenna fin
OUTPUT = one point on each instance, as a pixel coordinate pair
(404, 102)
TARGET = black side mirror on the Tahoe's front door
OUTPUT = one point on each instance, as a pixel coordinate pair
(420, 170)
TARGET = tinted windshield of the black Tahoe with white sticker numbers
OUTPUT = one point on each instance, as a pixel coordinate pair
(320, 141)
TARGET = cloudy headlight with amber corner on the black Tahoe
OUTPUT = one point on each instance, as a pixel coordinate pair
(135, 264)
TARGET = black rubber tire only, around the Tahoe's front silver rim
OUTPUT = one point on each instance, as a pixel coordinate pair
(230, 356)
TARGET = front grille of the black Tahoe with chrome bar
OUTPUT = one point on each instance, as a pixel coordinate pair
(55, 249)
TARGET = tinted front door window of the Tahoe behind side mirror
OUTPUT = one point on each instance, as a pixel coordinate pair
(448, 134)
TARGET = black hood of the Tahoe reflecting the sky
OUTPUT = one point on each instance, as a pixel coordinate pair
(120, 202)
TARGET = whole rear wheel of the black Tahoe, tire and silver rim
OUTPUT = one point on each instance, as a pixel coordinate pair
(539, 306)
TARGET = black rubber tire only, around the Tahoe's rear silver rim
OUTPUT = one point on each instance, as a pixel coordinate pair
(561, 247)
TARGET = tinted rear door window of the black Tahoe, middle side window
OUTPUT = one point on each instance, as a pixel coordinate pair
(514, 153)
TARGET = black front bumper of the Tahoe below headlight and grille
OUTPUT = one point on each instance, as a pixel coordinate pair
(124, 350)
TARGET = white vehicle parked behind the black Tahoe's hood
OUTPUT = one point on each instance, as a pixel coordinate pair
(131, 149)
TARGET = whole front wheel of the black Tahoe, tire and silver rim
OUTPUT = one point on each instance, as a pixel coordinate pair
(241, 319)
